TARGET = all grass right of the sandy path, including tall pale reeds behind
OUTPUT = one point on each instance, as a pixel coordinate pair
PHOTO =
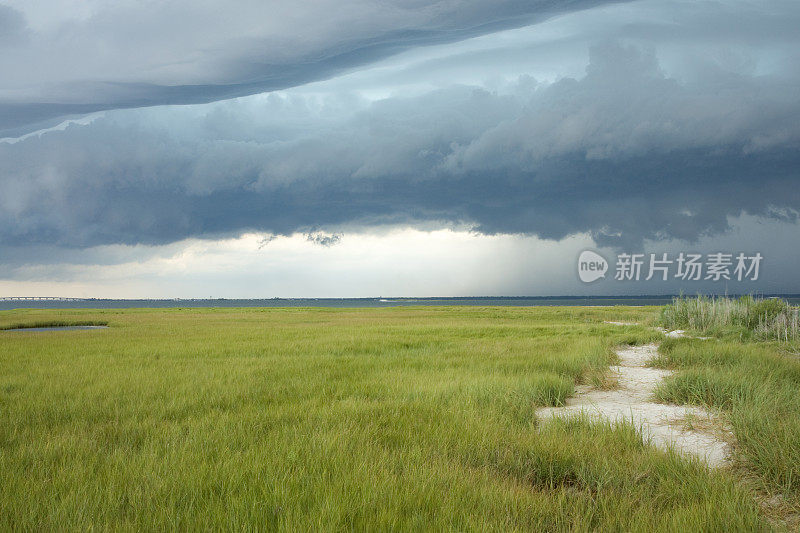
(750, 372)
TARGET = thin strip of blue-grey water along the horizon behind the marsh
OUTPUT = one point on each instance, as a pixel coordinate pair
(349, 302)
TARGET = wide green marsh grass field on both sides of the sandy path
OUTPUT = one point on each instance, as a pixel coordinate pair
(403, 419)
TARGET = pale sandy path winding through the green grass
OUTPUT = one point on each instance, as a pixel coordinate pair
(687, 429)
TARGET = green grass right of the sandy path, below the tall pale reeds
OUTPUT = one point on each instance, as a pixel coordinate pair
(756, 386)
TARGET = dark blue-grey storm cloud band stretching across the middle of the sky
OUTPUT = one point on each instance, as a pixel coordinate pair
(625, 153)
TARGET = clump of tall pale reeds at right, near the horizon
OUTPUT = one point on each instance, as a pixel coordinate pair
(760, 318)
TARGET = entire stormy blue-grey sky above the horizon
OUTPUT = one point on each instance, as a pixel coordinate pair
(407, 148)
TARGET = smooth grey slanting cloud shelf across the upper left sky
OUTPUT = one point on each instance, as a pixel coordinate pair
(182, 52)
